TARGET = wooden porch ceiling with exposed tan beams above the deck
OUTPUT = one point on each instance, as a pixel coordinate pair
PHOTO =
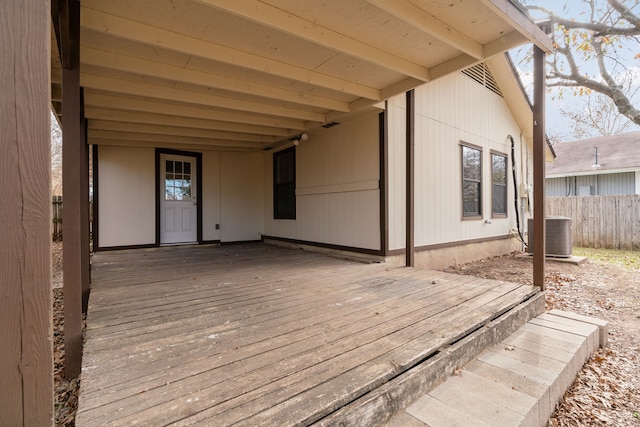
(252, 74)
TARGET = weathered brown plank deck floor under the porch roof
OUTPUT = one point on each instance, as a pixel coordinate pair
(260, 335)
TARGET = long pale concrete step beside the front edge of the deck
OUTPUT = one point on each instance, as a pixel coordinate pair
(517, 382)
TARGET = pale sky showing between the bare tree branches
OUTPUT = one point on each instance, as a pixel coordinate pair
(557, 125)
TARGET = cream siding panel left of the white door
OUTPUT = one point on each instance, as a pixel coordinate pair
(126, 196)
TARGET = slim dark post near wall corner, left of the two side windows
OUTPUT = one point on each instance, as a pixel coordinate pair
(410, 246)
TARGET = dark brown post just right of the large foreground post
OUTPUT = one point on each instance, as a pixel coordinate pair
(72, 176)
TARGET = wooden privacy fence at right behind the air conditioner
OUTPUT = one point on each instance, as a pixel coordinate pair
(611, 222)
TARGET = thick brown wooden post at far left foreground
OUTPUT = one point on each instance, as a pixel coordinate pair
(26, 320)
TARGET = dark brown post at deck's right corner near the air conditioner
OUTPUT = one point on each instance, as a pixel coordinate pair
(539, 155)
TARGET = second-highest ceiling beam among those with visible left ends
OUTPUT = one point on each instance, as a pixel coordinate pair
(130, 64)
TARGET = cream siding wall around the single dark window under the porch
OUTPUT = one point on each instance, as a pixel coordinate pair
(337, 187)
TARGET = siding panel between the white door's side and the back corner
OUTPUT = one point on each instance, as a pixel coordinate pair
(242, 197)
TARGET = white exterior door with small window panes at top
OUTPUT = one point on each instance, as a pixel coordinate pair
(178, 199)
